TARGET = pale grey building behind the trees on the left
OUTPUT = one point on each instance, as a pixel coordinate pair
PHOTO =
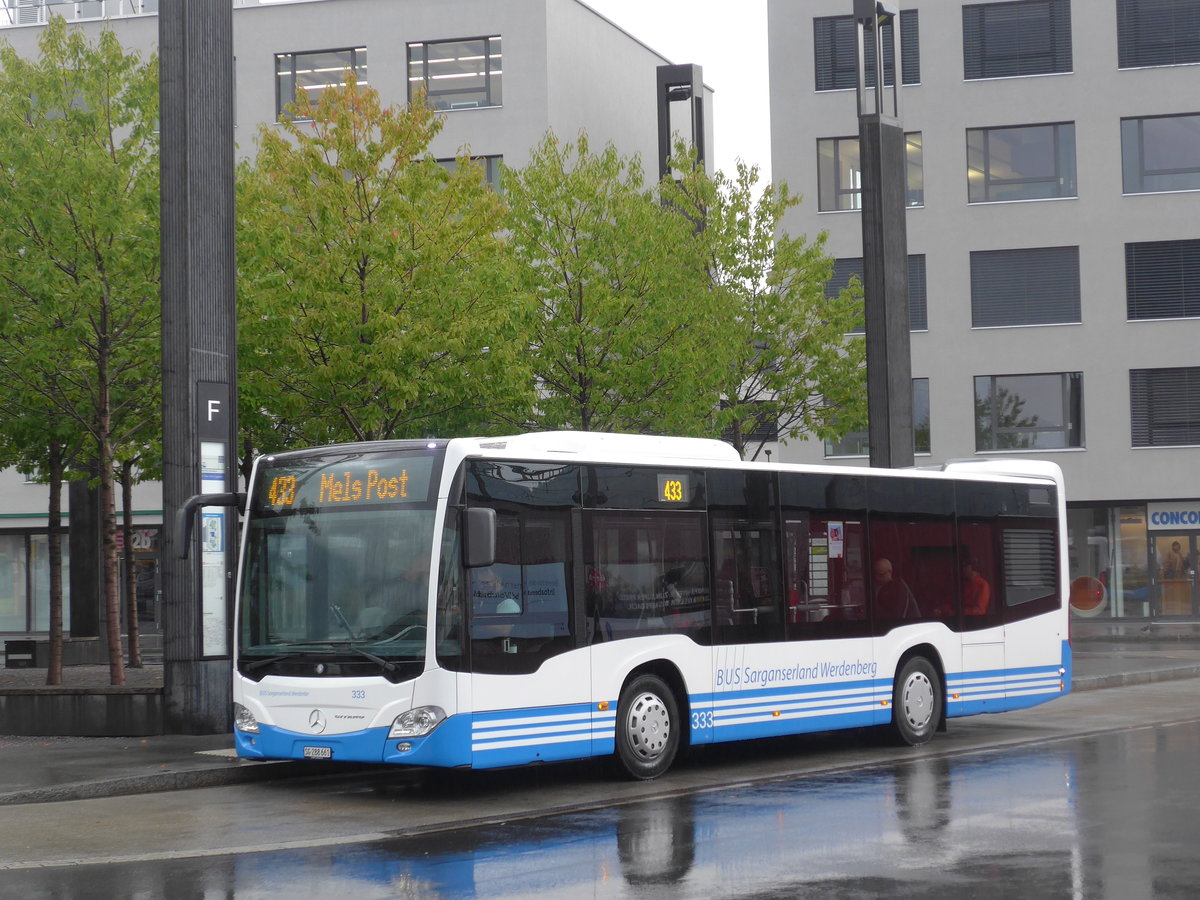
(505, 74)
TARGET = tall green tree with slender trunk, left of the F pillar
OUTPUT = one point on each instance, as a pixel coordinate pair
(80, 255)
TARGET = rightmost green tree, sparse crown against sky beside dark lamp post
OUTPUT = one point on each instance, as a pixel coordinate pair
(789, 362)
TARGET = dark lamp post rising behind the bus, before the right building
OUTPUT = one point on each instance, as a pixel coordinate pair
(885, 243)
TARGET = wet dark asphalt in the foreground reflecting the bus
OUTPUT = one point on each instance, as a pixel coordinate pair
(1111, 815)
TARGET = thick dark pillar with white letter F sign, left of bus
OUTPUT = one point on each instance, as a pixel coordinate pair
(199, 353)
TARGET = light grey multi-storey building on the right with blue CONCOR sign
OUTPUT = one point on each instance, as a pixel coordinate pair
(1054, 241)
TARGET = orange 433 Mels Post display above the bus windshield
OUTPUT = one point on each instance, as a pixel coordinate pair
(359, 481)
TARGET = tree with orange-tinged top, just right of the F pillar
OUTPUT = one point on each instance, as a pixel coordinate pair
(375, 291)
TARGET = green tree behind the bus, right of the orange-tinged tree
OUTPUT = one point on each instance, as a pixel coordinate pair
(622, 335)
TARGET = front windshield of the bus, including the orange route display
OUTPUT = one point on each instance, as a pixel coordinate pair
(338, 559)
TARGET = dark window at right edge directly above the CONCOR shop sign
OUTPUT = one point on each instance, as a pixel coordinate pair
(1166, 406)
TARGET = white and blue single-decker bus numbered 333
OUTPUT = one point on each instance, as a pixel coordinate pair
(501, 602)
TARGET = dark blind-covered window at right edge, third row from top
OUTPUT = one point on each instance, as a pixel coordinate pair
(1163, 280)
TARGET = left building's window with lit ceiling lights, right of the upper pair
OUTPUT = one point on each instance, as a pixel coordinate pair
(457, 75)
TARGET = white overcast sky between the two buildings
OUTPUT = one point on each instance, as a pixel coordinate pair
(729, 41)
